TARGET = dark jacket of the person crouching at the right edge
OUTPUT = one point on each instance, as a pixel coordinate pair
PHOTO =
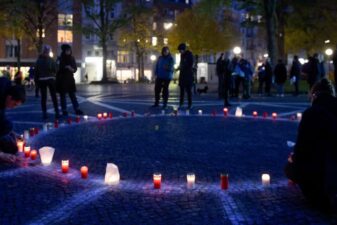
(315, 153)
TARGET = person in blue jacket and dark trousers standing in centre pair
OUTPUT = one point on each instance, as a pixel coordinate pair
(164, 74)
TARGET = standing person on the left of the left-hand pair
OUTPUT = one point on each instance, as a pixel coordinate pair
(45, 72)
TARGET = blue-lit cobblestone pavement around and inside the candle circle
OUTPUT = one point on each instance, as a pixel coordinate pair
(206, 145)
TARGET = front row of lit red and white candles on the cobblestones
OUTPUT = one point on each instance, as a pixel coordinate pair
(112, 175)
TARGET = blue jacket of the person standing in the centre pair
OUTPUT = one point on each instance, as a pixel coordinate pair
(164, 67)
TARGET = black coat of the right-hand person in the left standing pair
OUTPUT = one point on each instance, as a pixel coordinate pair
(65, 81)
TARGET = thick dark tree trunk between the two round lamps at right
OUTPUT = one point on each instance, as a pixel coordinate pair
(270, 14)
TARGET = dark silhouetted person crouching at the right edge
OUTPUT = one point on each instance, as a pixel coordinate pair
(313, 164)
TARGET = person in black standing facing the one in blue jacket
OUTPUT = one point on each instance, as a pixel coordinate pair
(186, 74)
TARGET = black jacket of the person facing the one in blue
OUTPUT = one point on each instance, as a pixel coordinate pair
(186, 69)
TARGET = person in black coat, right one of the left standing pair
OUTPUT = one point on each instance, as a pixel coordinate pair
(65, 82)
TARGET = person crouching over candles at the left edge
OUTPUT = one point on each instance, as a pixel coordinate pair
(10, 97)
